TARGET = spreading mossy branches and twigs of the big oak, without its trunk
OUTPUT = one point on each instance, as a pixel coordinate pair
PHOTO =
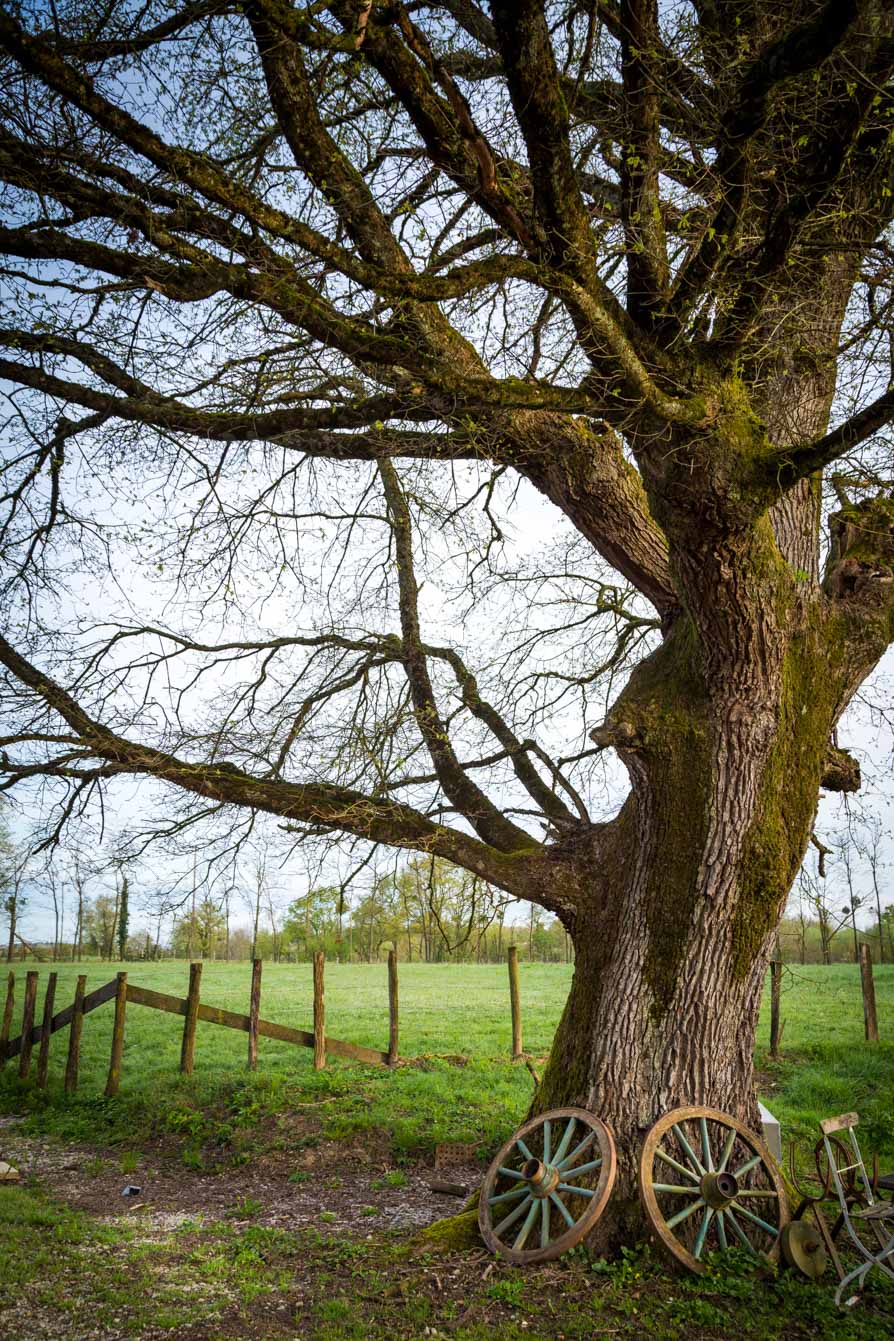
(297, 298)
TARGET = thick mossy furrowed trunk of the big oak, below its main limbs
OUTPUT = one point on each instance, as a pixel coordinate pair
(726, 750)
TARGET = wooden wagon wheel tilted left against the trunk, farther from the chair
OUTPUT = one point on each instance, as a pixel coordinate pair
(550, 1183)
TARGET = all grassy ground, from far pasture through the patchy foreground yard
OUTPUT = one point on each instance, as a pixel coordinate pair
(70, 1269)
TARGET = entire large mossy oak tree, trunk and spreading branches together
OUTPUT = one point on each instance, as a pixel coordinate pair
(625, 253)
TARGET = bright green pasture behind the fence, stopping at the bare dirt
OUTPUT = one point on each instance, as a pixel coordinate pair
(447, 1012)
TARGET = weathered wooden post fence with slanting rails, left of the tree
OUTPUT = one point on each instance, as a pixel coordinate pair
(191, 1008)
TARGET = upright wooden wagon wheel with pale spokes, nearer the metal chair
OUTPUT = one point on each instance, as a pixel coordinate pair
(710, 1183)
